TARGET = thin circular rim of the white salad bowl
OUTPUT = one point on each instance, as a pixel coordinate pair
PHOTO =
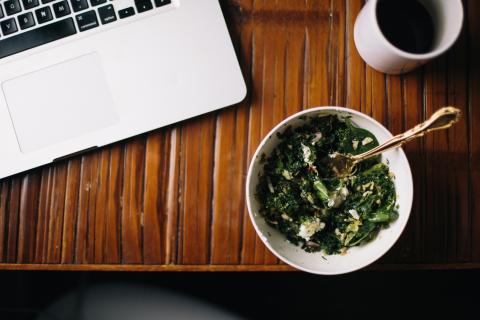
(259, 149)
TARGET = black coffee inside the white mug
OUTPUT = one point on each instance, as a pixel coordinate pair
(406, 24)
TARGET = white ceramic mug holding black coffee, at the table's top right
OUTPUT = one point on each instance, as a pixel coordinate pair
(380, 54)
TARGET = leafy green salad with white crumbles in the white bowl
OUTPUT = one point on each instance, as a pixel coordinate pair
(304, 199)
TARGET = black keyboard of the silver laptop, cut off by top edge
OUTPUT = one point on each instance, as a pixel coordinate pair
(26, 24)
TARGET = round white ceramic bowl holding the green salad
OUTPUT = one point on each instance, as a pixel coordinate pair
(356, 257)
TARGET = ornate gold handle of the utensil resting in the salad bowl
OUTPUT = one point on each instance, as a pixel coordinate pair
(442, 119)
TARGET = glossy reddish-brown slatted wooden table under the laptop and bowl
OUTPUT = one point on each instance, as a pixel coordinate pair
(173, 199)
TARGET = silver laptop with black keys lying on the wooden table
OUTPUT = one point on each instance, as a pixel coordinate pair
(80, 74)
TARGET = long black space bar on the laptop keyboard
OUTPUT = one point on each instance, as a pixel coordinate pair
(36, 37)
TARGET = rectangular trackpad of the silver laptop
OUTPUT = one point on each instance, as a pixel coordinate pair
(59, 103)
